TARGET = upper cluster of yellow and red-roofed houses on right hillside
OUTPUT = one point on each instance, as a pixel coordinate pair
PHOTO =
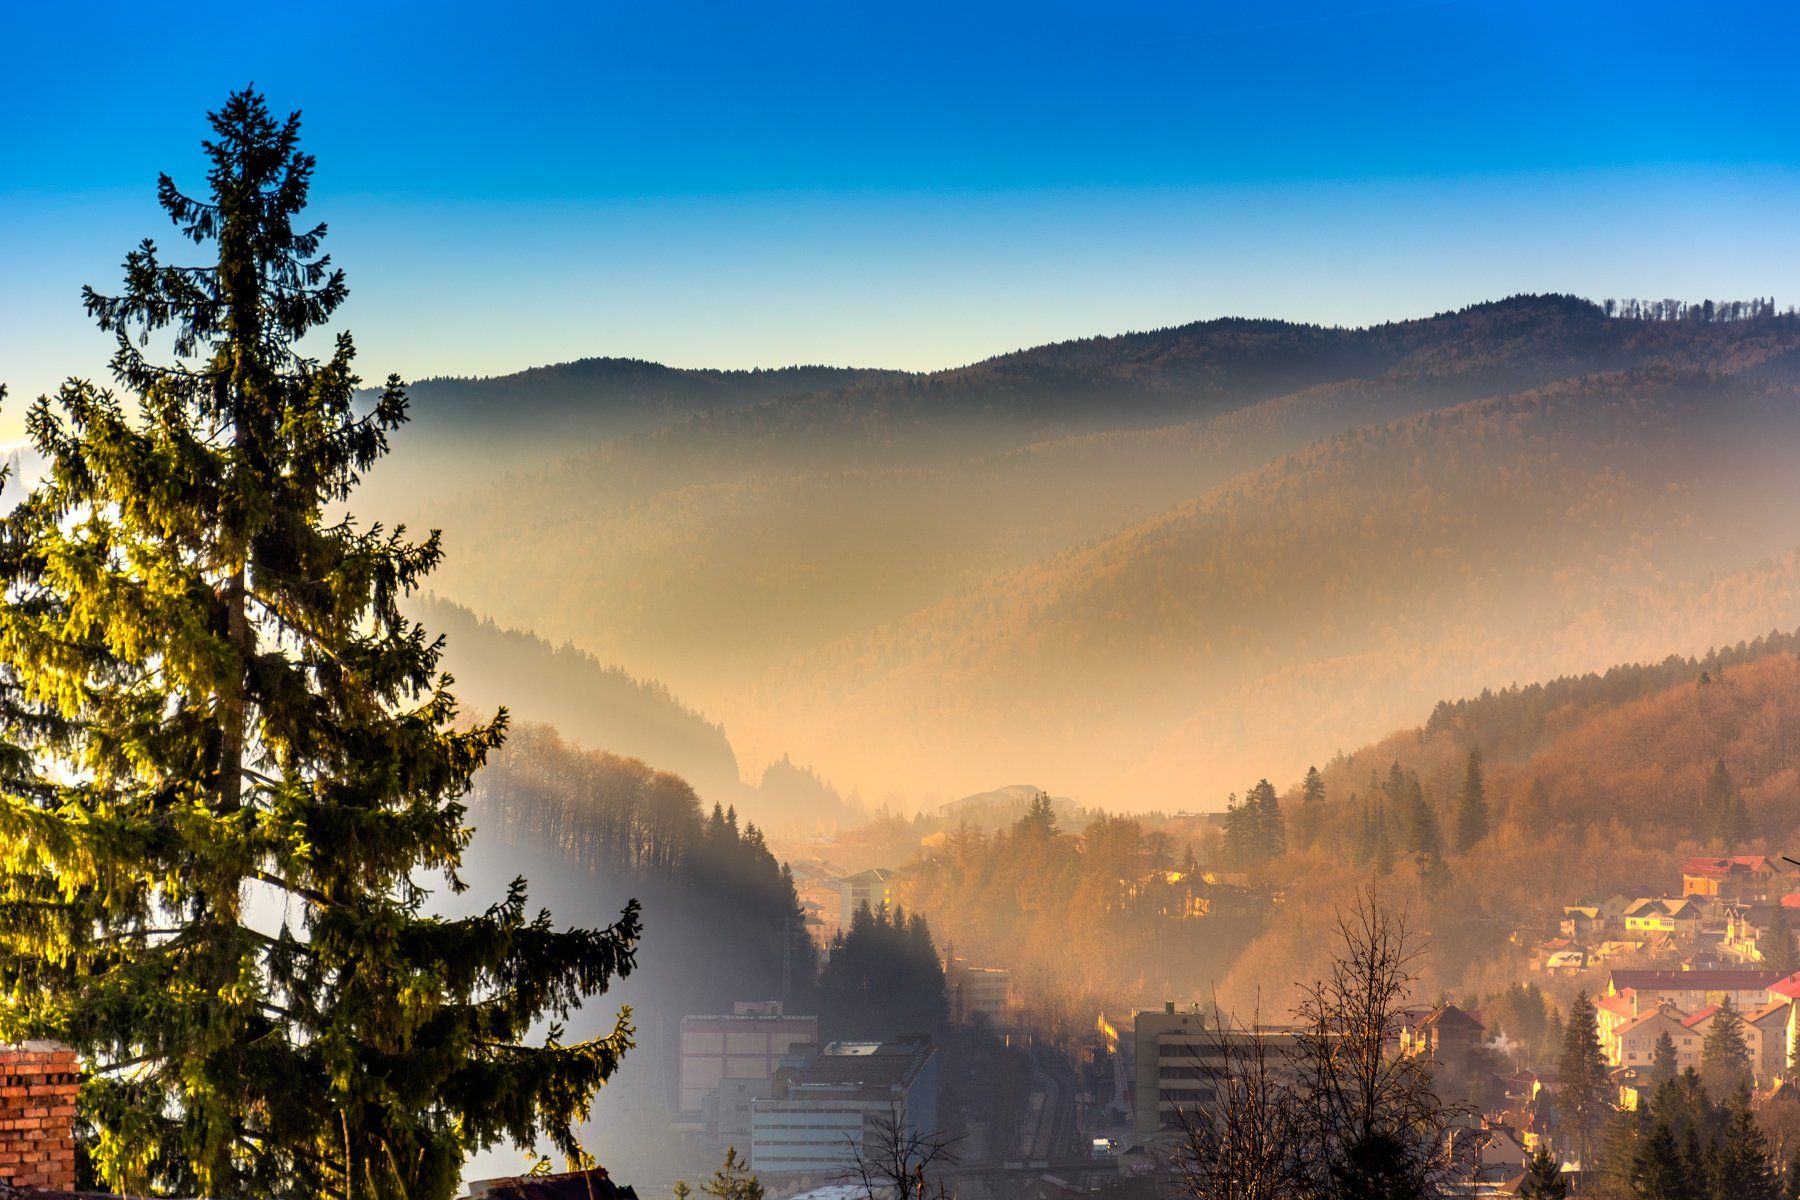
(1718, 920)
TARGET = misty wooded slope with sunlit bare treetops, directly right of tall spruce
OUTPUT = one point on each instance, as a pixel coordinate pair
(593, 830)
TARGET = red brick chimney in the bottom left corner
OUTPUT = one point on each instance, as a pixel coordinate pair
(39, 1084)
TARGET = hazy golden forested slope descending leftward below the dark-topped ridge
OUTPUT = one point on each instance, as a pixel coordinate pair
(1324, 598)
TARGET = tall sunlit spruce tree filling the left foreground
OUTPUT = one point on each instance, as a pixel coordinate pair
(233, 766)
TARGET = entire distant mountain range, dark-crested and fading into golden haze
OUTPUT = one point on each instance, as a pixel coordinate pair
(1146, 568)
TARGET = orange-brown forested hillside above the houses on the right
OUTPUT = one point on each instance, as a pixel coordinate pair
(1588, 785)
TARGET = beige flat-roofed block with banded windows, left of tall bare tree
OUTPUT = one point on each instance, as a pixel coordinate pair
(1180, 1057)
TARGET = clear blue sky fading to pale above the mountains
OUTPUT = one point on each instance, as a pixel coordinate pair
(913, 184)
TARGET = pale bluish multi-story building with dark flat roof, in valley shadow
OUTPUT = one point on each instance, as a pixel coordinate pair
(840, 1100)
